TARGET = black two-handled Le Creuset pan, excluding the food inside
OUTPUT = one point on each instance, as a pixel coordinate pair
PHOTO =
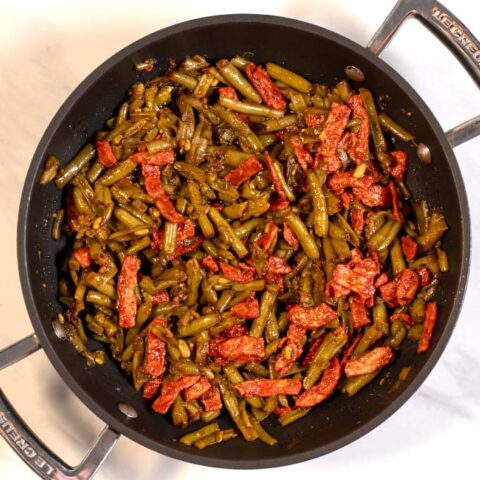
(319, 55)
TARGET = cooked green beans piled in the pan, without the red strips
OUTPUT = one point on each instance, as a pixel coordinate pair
(110, 215)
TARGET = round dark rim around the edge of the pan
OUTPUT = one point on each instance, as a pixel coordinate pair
(125, 428)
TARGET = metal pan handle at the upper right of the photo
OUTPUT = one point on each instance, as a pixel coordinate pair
(451, 32)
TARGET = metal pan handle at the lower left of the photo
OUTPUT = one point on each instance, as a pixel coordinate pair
(30, 448)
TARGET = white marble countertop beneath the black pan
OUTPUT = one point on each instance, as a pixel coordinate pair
(47, 48)
